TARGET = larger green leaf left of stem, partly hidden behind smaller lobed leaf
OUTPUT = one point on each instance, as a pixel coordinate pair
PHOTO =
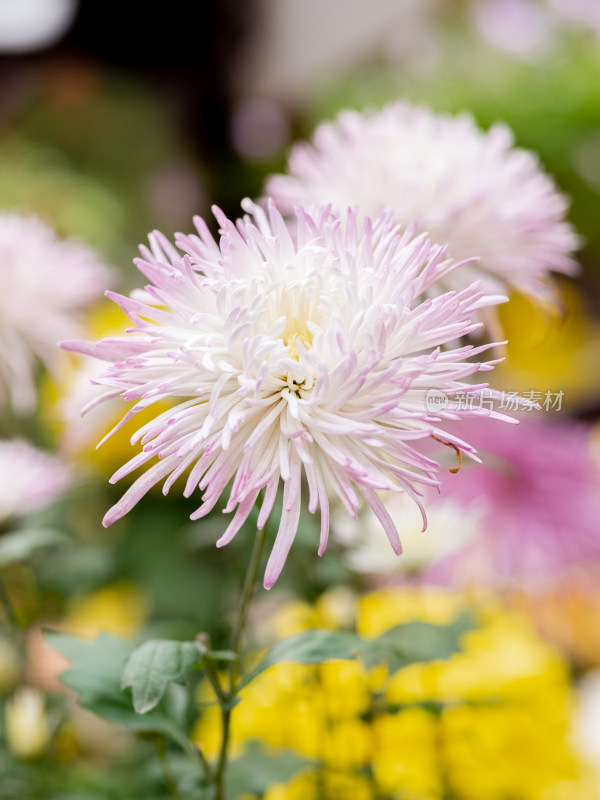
(95, 675)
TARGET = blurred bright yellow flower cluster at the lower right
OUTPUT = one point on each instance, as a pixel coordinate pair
(490, 723)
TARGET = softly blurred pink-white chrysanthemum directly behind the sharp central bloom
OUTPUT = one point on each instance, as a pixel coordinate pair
(468, 189)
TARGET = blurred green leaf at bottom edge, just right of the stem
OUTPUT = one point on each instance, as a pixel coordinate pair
(257, 770)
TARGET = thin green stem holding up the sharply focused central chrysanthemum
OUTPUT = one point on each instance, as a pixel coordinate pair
(227, 698)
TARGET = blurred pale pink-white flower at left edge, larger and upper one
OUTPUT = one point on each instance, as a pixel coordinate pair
(45, 283)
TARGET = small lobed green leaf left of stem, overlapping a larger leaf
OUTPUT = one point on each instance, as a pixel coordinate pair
(154, 665)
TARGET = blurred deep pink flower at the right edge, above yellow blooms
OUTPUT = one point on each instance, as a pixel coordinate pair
(538, 497)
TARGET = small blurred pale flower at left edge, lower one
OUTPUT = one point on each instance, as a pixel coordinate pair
(31, 478)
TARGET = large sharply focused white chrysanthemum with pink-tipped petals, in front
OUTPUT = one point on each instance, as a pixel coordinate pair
(290, 356)
